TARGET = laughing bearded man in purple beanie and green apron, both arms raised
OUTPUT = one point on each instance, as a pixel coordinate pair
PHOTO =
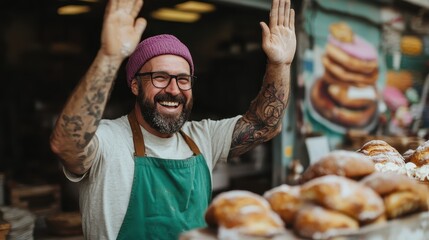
(148, 175)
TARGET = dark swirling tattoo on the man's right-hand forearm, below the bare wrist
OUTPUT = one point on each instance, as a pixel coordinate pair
(261, 121)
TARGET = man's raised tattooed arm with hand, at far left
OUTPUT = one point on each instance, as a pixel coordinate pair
(73, 136)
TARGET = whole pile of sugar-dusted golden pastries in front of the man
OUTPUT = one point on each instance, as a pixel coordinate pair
(339, 194)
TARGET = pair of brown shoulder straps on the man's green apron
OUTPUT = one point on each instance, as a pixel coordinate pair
(138, 140)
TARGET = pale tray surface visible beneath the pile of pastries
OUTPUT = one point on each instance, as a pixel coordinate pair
(414, 227)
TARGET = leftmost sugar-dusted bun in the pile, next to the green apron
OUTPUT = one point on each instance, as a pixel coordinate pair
(240, 213)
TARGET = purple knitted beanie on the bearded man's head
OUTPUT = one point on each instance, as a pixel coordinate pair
(154, 46)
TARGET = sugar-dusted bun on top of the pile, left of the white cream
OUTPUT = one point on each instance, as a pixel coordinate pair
(342, 163)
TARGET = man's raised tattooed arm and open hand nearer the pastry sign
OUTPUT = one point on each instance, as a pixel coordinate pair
(264, 118)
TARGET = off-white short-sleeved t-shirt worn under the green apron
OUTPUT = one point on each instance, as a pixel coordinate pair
(105, 189)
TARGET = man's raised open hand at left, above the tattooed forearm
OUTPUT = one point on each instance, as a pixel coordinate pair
(121, 30)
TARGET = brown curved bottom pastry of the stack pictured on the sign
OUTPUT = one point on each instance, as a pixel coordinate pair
(327, 108)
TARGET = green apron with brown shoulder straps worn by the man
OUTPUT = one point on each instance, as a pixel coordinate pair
(168, 196)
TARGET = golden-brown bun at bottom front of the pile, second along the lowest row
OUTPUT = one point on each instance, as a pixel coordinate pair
(316, 222)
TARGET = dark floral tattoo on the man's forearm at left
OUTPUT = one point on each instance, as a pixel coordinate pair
(83, 114)
